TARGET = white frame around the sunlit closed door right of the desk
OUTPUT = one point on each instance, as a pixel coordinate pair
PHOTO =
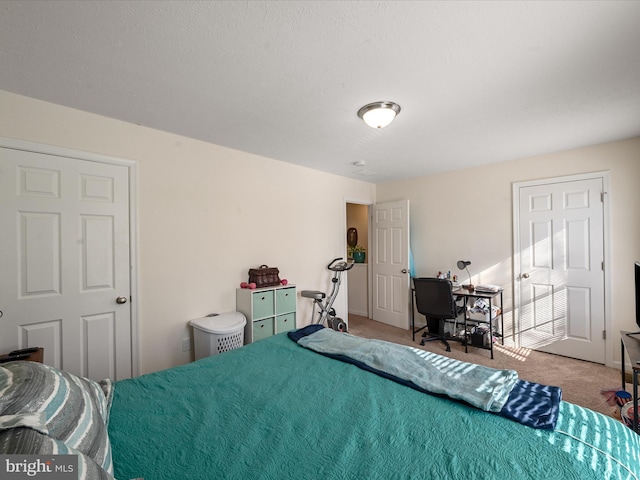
(515, 270)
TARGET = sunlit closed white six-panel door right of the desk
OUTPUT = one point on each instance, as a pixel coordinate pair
(559, 268)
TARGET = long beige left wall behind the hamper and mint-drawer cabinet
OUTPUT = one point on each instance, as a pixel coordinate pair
(206, 214)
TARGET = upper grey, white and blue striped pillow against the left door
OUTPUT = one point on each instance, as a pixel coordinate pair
(75, 409)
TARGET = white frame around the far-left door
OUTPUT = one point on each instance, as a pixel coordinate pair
(131, 166)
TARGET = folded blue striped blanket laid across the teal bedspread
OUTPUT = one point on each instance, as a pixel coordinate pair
(496, 391)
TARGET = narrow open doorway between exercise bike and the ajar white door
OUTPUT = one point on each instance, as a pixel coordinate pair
(357, 228)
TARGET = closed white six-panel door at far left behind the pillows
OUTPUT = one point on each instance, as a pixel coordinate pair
(65, 262)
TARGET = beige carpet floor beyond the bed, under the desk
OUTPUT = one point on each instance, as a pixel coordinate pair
(581, 381)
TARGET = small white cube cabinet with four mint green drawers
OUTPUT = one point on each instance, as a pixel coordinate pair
(269, 311)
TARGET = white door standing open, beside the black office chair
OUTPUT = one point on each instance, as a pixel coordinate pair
(389, 263)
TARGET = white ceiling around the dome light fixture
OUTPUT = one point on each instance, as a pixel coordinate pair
(478, 82)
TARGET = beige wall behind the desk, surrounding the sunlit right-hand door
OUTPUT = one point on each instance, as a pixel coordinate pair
(467, 215)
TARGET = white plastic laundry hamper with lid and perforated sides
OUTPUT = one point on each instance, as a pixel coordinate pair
(217, 334)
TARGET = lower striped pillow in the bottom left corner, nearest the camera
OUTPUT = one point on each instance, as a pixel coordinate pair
(25, 441)
